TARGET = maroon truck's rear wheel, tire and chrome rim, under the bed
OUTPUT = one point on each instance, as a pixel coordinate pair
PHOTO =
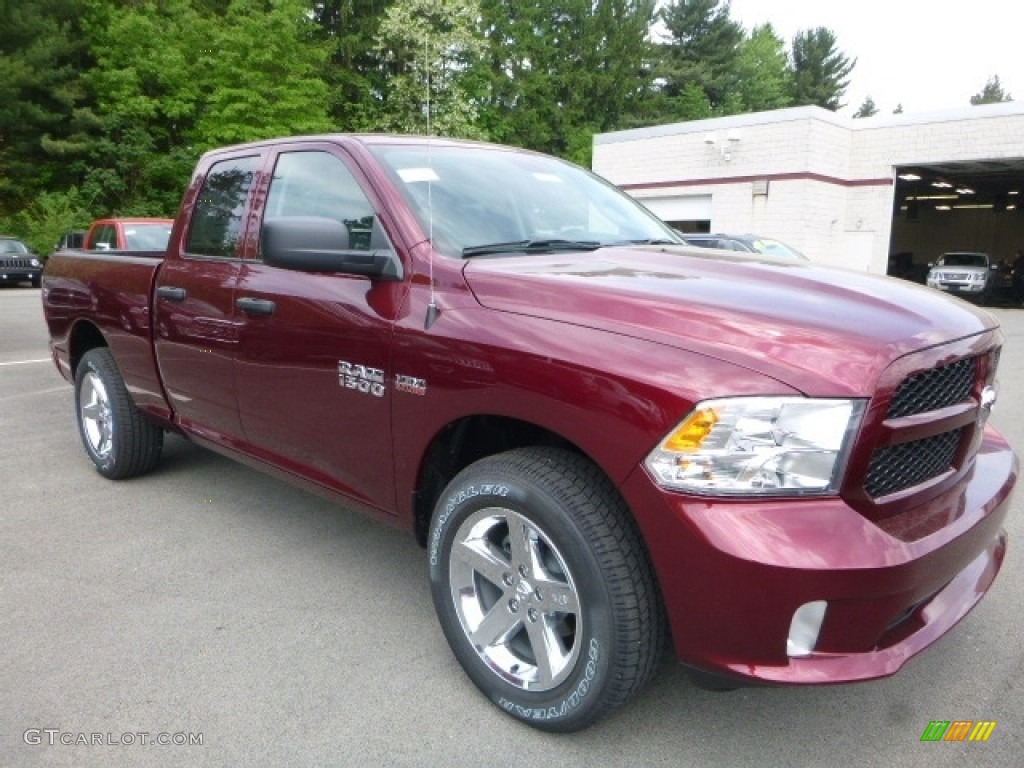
(119, 440)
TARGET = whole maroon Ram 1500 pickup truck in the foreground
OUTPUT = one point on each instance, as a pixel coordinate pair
(603, 438)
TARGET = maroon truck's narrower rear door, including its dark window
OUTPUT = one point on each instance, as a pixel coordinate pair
(197, 329)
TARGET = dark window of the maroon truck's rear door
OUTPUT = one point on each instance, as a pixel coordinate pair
(217, 220)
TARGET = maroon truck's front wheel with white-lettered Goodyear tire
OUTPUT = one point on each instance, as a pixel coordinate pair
(536, 549)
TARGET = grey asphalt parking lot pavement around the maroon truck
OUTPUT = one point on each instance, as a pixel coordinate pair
(206, 615)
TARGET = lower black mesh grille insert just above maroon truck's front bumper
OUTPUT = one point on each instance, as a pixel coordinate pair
(894, 468)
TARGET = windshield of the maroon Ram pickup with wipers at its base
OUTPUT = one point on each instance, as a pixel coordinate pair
(480, 201)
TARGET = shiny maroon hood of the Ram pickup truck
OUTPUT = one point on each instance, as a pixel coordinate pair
(825, 332)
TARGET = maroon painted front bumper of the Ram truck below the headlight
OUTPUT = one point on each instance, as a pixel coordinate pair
(734, 573)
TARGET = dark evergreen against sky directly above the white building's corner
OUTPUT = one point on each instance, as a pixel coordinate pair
(821, 71)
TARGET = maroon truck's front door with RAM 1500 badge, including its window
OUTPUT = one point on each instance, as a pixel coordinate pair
(314, 352)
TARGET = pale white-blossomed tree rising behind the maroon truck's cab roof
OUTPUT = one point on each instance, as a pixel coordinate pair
(432, 49)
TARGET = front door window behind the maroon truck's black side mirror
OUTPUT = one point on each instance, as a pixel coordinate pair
(318, 184)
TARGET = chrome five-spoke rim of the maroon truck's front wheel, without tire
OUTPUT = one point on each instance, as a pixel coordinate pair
(516, 600)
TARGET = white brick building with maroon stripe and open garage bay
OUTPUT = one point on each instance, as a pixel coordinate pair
(840, 190)
